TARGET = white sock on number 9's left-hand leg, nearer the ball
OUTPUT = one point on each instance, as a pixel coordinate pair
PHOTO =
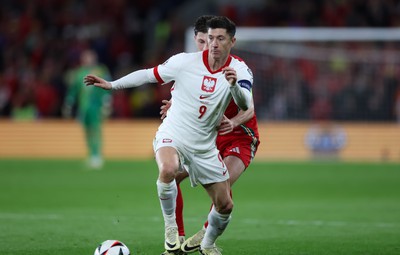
(167, 193)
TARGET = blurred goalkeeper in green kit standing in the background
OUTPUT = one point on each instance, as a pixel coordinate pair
(93, 104)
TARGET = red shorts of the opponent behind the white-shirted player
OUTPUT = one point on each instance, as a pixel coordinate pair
(241, 146)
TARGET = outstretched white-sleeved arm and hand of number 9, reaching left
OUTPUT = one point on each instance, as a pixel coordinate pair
(134, 79)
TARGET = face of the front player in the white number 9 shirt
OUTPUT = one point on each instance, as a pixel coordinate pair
(219, 43)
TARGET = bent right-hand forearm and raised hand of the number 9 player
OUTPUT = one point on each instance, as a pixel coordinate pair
(242, 96)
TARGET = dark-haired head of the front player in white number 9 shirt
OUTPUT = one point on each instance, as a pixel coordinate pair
(221, 36)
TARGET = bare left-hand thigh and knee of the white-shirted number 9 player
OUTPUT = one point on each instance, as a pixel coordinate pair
(168, 163)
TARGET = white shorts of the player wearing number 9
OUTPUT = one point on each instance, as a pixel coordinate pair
(203, 168)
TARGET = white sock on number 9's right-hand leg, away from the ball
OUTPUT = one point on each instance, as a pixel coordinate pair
(216, 225)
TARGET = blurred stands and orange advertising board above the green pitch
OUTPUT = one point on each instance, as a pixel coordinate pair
(41, 40)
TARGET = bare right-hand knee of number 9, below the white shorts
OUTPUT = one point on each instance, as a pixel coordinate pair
(219, 193)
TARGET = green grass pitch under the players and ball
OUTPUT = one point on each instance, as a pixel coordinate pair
(59, 207)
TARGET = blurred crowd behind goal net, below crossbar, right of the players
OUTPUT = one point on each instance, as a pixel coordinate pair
(357, 81)
